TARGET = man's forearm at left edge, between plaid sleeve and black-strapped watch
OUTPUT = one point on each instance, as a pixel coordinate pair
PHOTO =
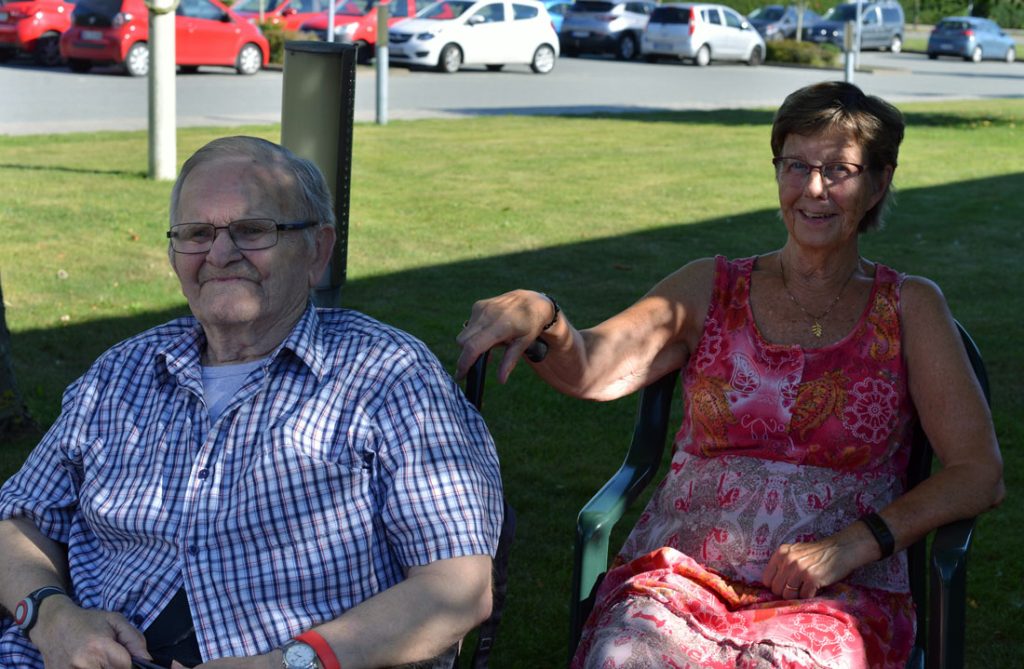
(31, 561)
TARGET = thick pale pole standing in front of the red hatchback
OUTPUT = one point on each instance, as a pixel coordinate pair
(163, 149)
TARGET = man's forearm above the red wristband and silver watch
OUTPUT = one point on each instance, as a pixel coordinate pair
(417, 619)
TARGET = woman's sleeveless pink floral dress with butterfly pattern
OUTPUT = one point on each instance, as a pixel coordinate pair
(779, 445)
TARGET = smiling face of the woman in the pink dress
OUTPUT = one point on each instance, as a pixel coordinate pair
(820, 215)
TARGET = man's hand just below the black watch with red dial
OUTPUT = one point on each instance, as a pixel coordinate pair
(72, 638)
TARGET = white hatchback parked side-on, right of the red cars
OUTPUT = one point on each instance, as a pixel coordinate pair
(493, 33)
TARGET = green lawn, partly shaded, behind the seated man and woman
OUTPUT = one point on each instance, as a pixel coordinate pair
(593, 211)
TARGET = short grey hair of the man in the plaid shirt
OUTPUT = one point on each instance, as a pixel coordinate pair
(309, 196)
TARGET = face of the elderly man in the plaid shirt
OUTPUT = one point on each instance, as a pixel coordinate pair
(261, 291)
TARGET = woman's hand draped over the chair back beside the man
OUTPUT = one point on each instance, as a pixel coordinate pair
(515, 320)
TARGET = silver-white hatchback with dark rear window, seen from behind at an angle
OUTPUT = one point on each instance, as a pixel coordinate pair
(702, 33)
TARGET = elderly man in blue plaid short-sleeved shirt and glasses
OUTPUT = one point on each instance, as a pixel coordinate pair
(265, 485)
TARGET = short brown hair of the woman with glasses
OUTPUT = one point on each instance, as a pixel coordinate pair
(840, 107)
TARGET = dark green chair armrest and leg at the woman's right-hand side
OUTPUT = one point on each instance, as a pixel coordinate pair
(948, 595)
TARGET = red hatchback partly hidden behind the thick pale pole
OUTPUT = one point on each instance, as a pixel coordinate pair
(206, 33)
